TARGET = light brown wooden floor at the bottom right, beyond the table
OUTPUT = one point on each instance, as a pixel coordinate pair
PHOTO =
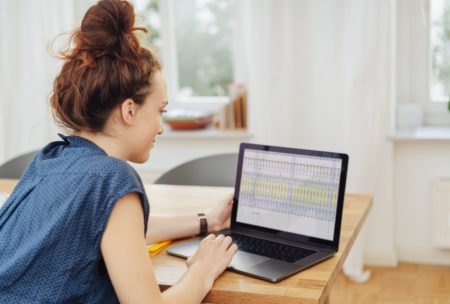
(407, 283)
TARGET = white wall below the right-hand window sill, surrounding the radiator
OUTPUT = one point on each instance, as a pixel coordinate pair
(417, 164)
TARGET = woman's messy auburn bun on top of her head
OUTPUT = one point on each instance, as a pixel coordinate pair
(107, 27)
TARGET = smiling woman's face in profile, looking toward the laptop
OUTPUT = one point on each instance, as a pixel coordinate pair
(148, 123)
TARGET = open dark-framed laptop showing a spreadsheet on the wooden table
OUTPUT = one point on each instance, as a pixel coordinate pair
(287, 210)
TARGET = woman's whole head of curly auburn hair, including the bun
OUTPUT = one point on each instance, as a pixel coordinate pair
(105, 66)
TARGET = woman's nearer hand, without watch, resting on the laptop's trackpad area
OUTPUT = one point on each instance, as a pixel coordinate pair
(214, 254)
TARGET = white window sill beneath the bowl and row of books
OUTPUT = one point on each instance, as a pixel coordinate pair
(209, 133)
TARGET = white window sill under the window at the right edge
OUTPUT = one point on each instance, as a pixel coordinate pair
(425, 133)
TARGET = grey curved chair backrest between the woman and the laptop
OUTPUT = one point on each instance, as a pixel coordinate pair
(215, 170)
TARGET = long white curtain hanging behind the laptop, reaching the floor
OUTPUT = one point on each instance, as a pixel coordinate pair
(318, 77)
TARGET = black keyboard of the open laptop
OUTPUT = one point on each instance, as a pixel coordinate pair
(270, 249)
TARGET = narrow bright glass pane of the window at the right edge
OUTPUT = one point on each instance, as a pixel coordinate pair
(440, 50)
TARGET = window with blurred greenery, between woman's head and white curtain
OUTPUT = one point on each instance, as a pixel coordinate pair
(194, 41)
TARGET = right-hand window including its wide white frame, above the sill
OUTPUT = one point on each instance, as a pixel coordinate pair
(423, 58)
